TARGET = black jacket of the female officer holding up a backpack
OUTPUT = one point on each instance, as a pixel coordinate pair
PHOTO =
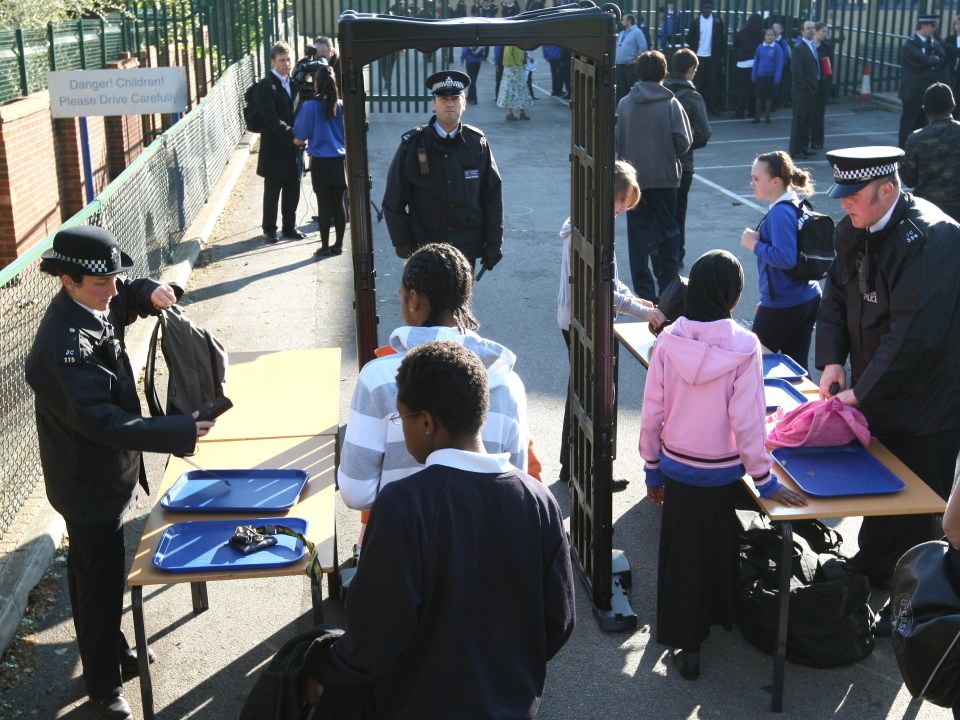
(89, 424)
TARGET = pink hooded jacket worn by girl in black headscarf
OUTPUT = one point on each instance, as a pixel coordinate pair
(703, 403)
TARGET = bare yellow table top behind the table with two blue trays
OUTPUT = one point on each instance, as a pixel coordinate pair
(286, 393)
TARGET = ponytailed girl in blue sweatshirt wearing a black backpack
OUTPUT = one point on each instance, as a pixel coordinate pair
(788, 308)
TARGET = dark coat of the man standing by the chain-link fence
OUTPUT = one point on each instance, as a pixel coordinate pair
(278, 157)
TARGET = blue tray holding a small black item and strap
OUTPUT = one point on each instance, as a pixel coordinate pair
(199, 545)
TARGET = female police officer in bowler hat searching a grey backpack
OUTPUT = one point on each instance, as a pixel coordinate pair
(92, 433)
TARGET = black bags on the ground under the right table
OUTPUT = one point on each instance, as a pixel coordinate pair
(830, 622)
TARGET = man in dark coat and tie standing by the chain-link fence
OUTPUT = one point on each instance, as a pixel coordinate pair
(280, 159)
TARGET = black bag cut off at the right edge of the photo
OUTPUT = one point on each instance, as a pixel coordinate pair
(925, 602)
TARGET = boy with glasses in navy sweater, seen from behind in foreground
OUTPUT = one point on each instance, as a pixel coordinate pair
(465, 588)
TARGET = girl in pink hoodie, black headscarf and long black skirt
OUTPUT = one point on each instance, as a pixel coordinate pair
(701, 430)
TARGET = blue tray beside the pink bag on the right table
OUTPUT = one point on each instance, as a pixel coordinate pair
(837, 471)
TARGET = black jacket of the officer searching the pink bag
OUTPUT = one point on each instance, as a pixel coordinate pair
(903, 335)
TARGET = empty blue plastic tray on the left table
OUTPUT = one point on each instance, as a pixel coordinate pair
(235, 491)
